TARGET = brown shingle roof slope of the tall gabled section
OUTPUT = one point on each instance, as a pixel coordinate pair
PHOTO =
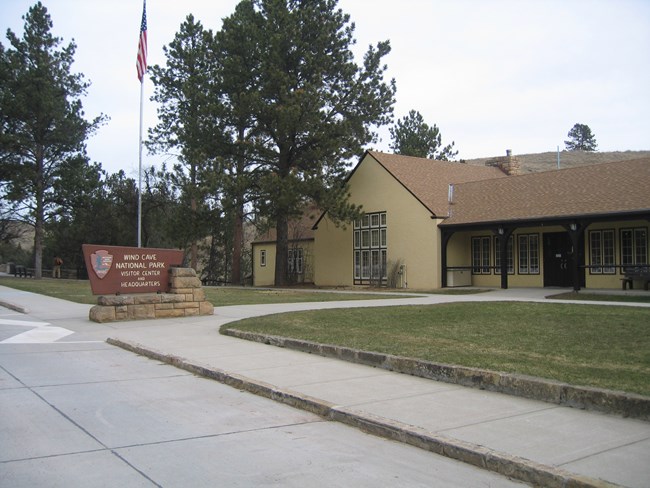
(428, 180)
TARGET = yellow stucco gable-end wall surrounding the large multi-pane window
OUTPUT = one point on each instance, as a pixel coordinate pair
(412, 236)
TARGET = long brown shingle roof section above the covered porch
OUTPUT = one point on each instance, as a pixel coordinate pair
(602, 189)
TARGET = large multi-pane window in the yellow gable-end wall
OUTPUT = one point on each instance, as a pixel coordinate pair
(370, 248)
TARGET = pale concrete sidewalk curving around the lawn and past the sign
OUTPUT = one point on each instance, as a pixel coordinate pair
(540, 443)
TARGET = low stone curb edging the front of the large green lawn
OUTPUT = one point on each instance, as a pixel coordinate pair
(586, 398)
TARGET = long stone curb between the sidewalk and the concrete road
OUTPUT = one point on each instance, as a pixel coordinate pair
(514, 467)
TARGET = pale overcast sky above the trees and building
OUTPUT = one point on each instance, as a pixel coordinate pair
(491, 74)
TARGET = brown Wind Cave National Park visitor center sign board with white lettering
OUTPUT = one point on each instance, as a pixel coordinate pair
(121, 270)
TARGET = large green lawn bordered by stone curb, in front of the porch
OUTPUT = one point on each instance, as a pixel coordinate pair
(590, 345)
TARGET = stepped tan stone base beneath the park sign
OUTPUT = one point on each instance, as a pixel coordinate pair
(185, 298)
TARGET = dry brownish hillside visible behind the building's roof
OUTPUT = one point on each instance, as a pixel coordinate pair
(533, 163)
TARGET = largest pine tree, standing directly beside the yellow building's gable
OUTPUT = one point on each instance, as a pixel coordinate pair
(313, 108)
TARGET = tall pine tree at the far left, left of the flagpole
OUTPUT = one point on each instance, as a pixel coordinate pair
(42, 121)
